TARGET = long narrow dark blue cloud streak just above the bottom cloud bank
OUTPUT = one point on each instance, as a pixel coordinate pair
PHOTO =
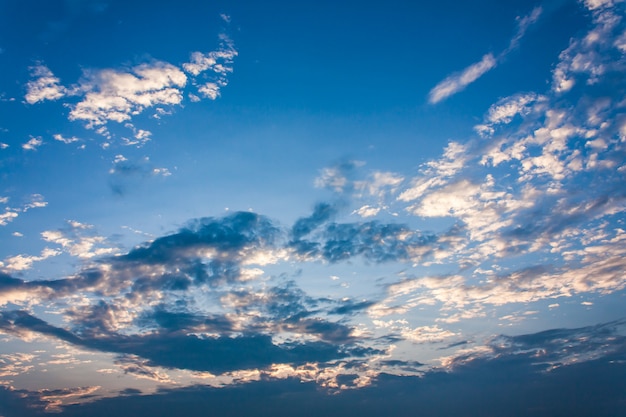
(175, 349)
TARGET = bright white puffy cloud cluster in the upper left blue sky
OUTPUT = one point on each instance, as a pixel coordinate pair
(118, 95)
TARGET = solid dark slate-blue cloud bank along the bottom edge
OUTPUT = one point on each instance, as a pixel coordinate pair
(509, 384)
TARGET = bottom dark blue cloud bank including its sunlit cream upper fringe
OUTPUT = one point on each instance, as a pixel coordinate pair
(486, 380)
